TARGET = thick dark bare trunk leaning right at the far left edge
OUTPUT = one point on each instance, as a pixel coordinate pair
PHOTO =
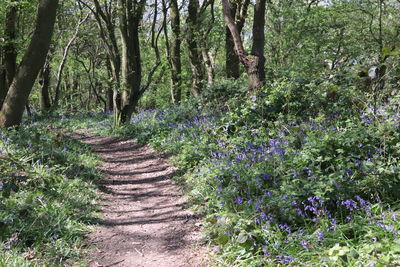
(33, 61)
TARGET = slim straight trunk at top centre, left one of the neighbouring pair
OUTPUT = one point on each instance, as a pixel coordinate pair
(176, 70)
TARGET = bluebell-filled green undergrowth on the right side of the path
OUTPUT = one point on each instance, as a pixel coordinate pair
(283, 190)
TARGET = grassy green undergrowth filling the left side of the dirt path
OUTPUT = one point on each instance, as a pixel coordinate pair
(47, 196)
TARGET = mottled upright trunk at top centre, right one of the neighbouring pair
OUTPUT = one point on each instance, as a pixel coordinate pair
(194, 49)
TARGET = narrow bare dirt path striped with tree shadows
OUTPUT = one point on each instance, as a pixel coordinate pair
(145, 221)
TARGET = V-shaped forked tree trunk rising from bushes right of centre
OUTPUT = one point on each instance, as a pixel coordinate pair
(253, 62)
